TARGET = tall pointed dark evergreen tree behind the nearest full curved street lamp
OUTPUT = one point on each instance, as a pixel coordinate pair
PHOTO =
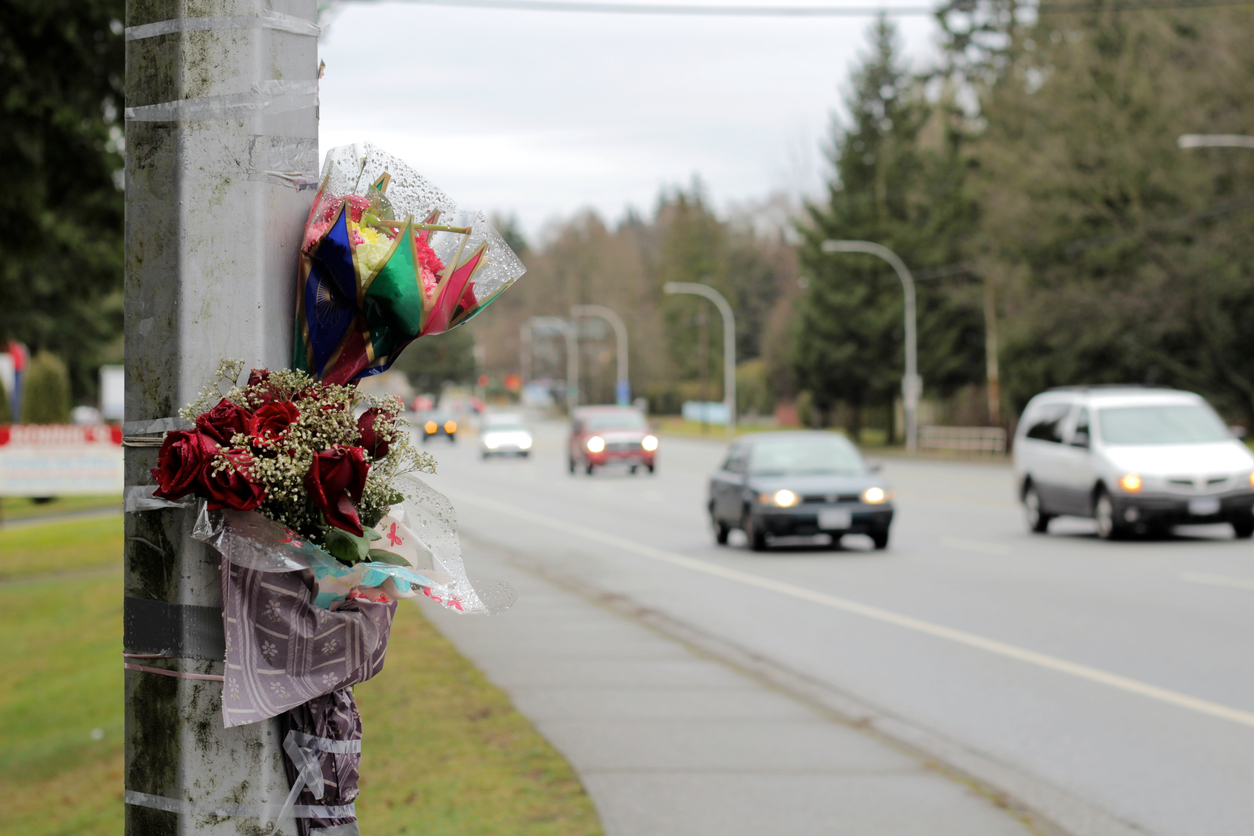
(897, 186)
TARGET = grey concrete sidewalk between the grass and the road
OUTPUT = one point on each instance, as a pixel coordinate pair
(670, 743)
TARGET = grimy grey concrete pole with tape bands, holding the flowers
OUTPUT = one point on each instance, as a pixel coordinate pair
(221, 141)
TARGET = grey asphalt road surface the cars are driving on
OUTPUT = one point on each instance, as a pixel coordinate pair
(1093, 680)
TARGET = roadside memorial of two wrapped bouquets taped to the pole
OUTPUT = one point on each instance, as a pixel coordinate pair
(310, 491)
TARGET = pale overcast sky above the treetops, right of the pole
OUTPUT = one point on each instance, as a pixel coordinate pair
(542, 115)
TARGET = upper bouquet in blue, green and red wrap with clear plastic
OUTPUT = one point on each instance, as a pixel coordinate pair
(388, 259)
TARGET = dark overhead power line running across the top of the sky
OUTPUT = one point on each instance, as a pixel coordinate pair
(667, 9)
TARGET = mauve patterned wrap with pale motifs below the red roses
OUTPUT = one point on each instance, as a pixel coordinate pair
(283, 651)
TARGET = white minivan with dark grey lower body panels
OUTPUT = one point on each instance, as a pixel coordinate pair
(1133, 459)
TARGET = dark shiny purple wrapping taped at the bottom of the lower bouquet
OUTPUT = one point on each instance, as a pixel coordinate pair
(332, 716)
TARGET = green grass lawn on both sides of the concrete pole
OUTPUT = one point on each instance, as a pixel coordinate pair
(446, 753)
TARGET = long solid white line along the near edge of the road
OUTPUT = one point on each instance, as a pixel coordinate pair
(888, 617)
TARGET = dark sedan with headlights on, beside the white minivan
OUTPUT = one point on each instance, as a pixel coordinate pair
(783, 484)
